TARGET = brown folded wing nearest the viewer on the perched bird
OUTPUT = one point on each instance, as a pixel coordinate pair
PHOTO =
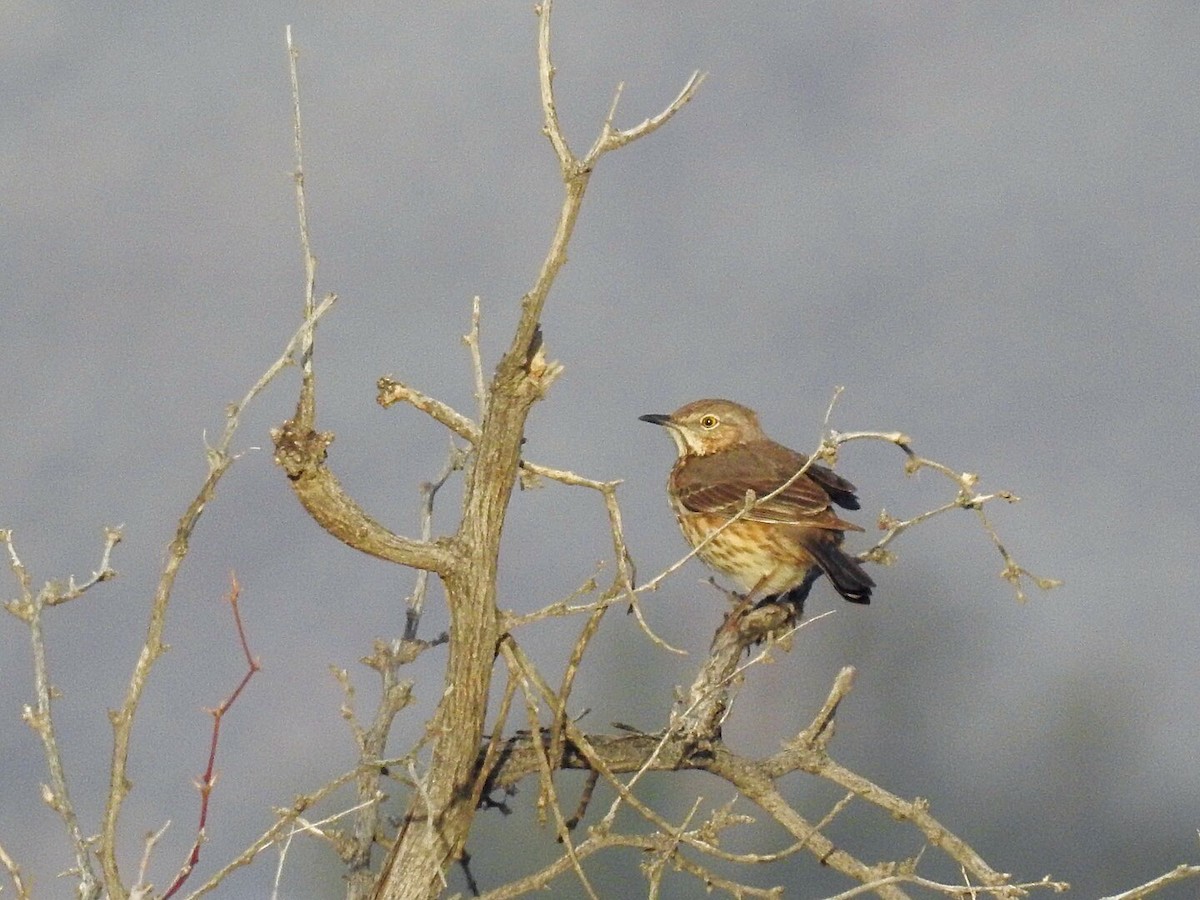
(719, 484)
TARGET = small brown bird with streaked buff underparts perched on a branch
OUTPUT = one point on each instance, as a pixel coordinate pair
(781, 547)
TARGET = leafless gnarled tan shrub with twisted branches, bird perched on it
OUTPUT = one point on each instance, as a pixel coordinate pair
(473, 751)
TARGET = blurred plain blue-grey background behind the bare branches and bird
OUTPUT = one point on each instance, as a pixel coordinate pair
(981, 220)
